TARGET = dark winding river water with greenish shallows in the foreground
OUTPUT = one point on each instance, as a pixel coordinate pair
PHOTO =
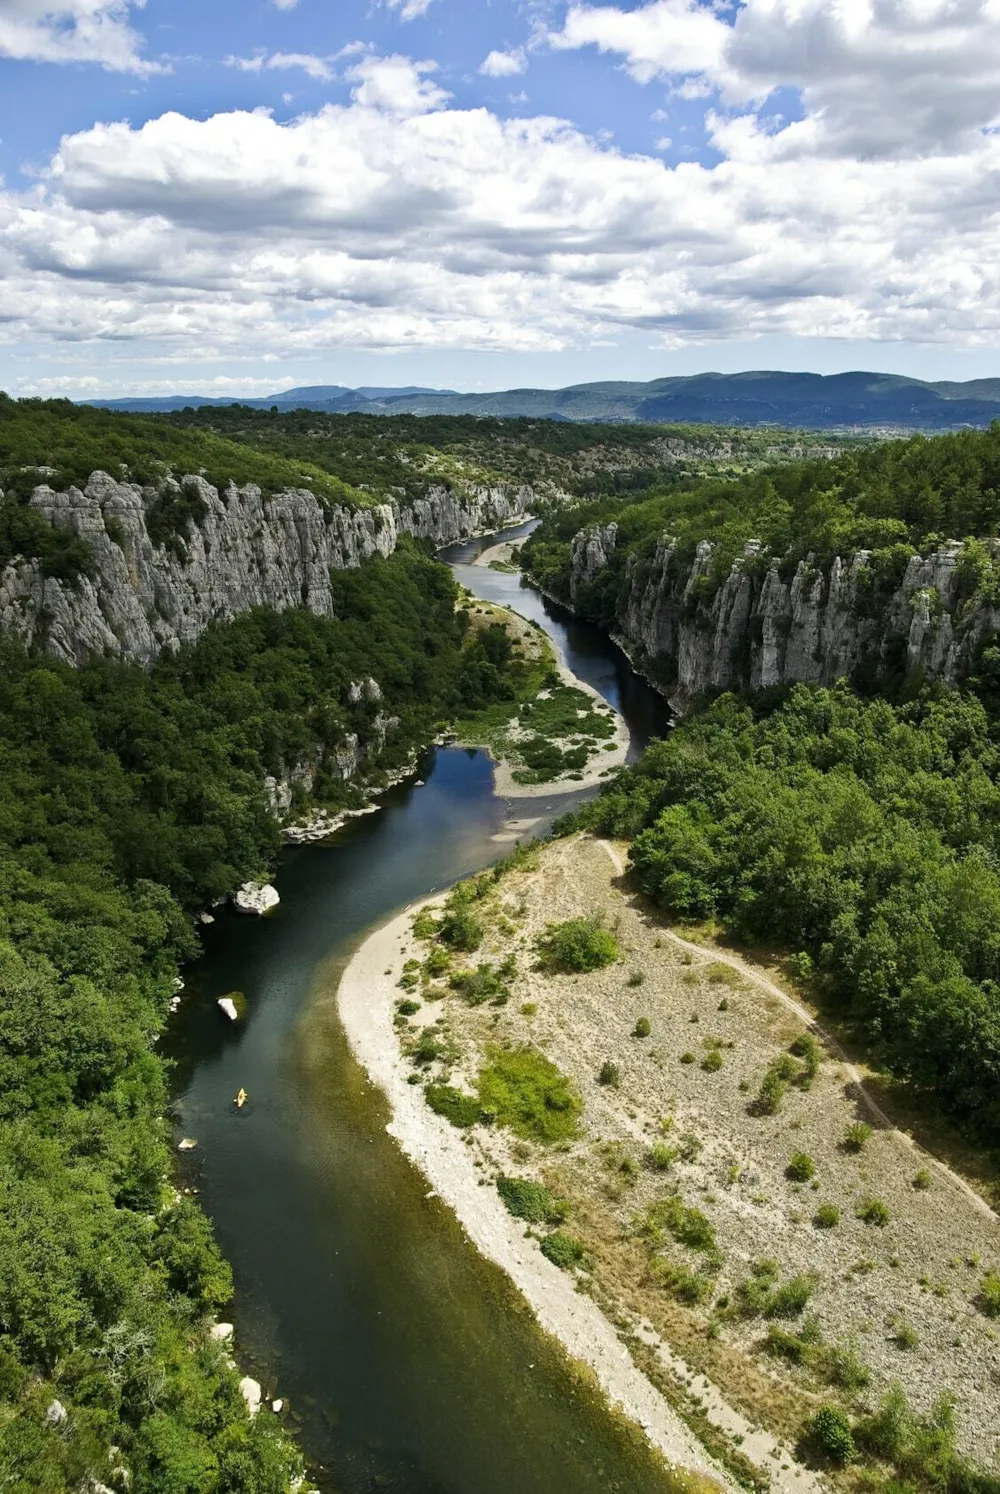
(409, 1363)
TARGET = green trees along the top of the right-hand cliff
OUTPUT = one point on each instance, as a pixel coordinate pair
(893, 500)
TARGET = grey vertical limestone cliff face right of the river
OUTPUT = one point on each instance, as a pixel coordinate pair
(768, 624)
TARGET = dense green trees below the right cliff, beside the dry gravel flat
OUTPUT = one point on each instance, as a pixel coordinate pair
(860, 837)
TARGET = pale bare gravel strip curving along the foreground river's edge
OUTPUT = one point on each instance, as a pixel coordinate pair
(367, 1006)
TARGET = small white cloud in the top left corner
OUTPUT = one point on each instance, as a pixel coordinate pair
(72, 32)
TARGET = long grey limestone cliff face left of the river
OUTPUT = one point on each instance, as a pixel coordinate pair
(246, 552)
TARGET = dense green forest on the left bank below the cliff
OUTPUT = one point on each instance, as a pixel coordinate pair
(129, 800)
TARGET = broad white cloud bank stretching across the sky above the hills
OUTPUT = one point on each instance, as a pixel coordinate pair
(467, 231)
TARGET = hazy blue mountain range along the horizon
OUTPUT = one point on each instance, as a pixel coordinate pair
(809, 401)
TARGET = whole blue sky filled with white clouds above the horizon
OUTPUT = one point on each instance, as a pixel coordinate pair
(241, 196)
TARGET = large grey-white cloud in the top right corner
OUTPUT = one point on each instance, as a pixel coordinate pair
(875, 77)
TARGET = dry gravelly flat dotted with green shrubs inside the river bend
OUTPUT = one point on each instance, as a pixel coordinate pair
(753, 1283)
